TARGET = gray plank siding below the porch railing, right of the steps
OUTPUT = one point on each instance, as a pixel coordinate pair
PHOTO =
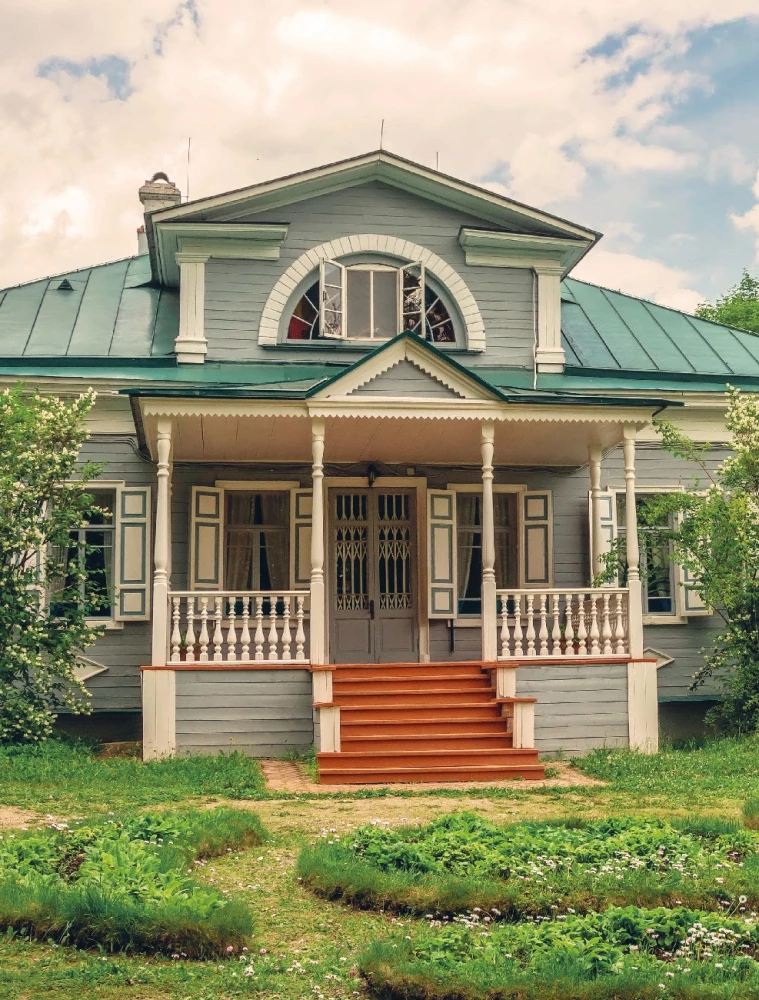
(579, 707)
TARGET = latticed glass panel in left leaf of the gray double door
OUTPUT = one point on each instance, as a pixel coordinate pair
(351, 552)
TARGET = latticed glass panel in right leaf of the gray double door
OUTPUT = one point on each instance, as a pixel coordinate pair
(394, 551)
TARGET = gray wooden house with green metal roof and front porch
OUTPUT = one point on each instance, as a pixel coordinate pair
(367, 443)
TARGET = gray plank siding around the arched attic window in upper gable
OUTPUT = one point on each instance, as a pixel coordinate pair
(236, 290)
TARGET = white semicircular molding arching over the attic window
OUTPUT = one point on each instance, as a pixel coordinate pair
(454, 284)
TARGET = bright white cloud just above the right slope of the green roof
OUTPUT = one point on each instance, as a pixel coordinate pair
(640, 276)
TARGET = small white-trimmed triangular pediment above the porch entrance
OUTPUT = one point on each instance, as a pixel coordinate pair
(409, 369)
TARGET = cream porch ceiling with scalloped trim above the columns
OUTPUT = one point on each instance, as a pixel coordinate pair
(282, 433)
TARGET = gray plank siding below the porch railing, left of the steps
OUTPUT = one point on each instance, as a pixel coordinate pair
(263, 713)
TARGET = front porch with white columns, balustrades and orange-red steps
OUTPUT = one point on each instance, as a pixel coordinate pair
(565, 641)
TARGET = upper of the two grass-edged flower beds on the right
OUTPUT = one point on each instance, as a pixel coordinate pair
(461, 861)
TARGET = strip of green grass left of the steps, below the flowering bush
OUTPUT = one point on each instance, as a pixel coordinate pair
(58, 774)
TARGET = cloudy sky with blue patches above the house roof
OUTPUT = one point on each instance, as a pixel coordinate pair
(637, 118)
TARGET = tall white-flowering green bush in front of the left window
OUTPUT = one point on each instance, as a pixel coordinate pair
(39, 506)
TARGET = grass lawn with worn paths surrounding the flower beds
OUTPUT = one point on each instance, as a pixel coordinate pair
(305, 946)
